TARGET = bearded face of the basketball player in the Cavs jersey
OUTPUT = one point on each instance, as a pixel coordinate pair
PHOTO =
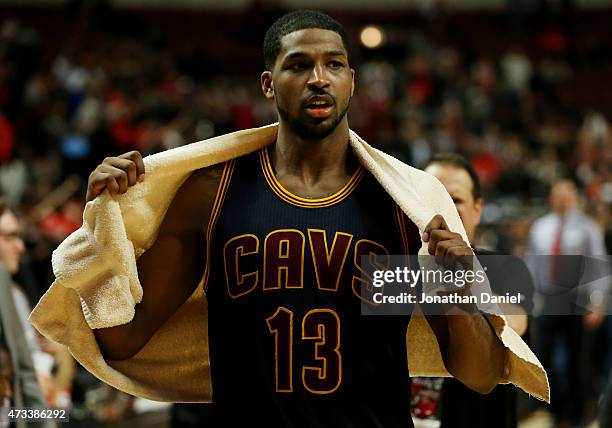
(311, 82)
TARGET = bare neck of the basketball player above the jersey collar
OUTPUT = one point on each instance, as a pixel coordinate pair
(312, 159)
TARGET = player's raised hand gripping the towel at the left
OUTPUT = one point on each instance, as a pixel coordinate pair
(116, 174)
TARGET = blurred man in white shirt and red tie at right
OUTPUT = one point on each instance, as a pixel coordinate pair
(570, 300)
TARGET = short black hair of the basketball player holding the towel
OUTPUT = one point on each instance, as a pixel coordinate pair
(295, 21)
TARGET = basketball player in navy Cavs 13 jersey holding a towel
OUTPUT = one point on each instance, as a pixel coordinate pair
(276, 238)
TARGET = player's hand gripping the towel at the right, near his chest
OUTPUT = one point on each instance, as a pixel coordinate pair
(448, 247)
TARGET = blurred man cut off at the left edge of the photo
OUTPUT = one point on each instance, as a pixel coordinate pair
(18, 378)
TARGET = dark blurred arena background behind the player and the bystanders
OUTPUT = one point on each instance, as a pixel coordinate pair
(520, 87)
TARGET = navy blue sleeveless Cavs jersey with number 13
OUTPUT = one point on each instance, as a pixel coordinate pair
(288, 344)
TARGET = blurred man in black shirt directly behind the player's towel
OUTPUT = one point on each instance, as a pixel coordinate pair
(462, 407)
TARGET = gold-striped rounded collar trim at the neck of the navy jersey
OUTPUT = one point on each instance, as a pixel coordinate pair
(276, 186)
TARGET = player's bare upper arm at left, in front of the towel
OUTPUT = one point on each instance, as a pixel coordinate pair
(171, 269)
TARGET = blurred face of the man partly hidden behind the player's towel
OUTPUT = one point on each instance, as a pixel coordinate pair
(459, 184)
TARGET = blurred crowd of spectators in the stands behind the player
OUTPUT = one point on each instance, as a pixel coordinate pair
(66, 104)
